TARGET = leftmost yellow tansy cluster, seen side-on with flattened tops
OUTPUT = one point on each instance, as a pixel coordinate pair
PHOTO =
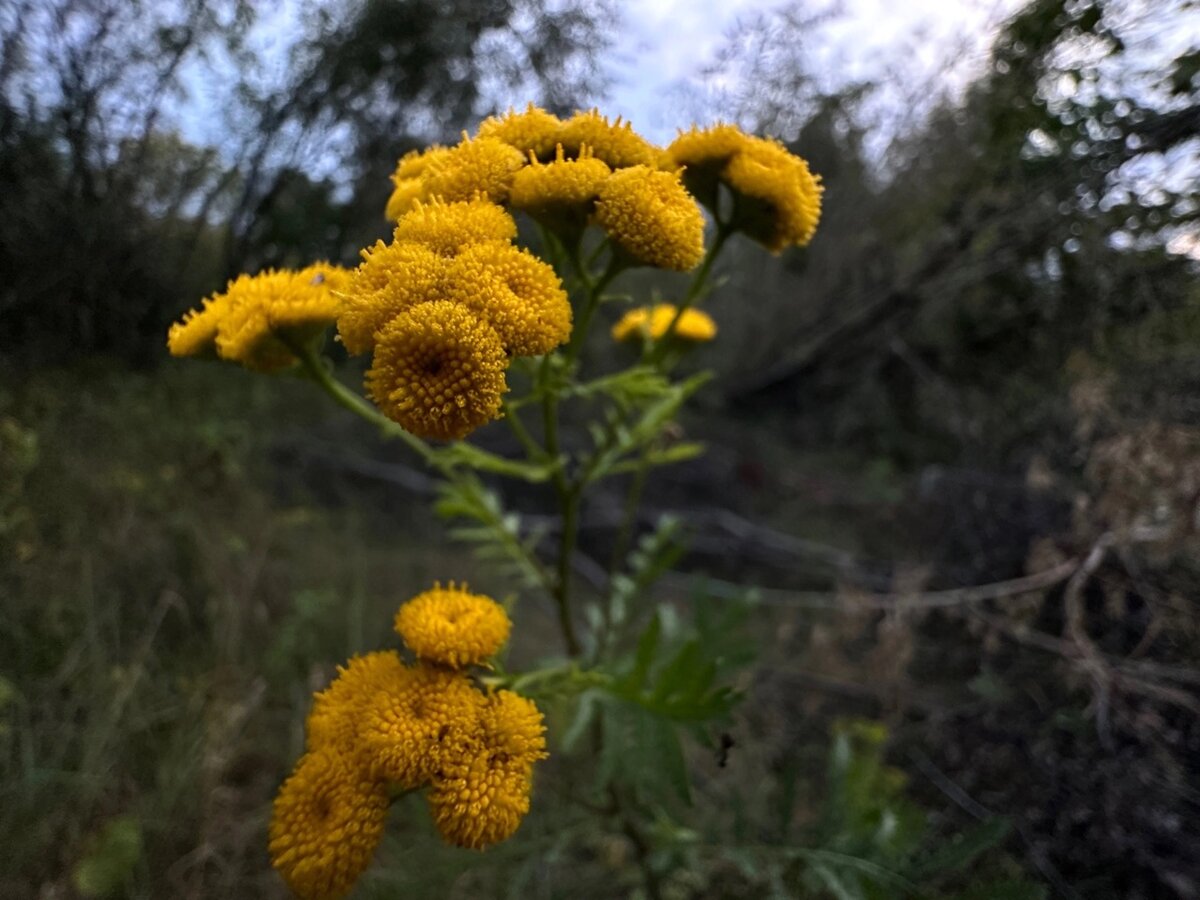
(259, 320)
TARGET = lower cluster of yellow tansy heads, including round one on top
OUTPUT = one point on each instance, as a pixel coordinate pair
(386, 727)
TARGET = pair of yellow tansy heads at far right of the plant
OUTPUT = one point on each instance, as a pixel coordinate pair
(777, 201)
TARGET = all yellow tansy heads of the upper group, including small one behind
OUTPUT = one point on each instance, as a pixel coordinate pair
(446, 307)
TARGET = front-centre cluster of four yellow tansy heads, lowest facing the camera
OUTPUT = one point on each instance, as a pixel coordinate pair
(443, 309)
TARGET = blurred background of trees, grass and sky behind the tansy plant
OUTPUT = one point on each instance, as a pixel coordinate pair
(955, 445)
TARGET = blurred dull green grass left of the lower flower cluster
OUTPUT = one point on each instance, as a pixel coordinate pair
(170, 607)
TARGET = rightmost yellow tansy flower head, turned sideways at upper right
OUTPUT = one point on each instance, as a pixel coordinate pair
(778, 201)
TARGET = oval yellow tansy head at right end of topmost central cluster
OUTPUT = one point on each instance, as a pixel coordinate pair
(652, 218)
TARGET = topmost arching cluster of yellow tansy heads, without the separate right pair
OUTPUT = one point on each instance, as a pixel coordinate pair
(567, 175)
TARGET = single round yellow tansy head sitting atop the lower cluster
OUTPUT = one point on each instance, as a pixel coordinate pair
(453, 627)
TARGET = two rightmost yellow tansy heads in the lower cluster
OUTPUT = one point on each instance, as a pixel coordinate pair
(483, 791)
